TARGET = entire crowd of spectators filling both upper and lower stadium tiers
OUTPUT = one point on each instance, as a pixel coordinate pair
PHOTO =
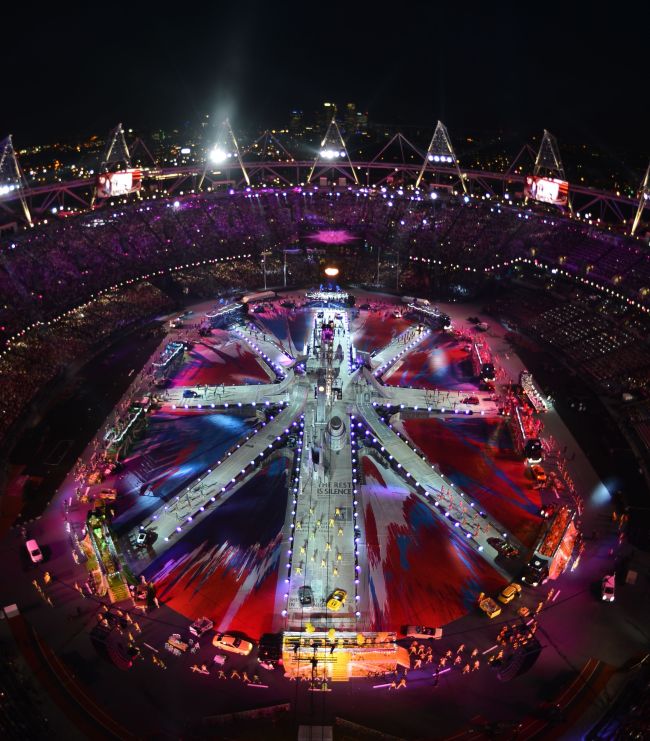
(199, 245)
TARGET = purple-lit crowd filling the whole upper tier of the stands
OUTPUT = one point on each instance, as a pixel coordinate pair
(58, 265)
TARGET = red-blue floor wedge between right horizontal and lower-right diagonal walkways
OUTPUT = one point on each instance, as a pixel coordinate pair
(477, 454)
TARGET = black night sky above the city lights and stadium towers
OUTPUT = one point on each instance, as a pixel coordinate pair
(489, 67)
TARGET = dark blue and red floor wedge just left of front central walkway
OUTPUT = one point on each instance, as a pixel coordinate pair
(226, 568)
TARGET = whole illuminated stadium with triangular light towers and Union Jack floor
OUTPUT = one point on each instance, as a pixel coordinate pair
(282, 436)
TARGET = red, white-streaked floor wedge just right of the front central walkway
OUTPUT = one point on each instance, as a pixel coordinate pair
(419, 572)
